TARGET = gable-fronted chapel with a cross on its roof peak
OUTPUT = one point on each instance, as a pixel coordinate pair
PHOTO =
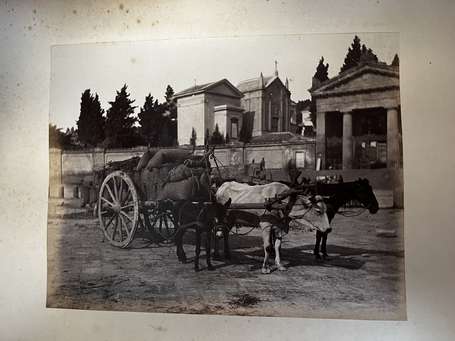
(270, 100)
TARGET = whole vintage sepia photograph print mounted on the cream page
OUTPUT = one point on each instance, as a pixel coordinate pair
(258, 176)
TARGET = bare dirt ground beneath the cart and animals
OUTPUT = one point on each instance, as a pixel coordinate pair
(363, 280)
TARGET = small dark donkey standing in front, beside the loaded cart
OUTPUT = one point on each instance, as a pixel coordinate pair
(202, 217)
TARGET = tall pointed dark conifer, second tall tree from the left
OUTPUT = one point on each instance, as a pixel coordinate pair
(119, 121)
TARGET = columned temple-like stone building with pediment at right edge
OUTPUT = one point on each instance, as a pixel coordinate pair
(358, 122)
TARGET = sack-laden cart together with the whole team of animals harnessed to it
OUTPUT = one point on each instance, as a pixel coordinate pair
(169, 190)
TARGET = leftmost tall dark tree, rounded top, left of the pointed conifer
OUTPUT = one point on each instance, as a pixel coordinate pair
(90, 124)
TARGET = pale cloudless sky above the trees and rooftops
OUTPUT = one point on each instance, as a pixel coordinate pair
(149, 66)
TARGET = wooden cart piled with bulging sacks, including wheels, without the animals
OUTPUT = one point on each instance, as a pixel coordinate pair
(131, 194)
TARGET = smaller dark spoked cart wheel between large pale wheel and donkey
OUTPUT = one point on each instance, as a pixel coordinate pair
(160, 220)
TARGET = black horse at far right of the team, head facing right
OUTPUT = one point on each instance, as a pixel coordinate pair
(338, 195)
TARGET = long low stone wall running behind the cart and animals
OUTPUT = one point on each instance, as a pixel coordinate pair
(69, 168)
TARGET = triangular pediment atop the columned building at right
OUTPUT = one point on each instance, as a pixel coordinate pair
(364, 78)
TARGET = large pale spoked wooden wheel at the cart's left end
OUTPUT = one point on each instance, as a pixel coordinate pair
(118, 209)
